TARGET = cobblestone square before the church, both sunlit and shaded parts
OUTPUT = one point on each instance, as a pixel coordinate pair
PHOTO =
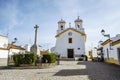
(67, 70)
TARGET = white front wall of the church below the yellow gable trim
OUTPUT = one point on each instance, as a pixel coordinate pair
(77, 42)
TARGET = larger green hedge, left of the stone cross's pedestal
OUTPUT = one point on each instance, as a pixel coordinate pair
(27, 58)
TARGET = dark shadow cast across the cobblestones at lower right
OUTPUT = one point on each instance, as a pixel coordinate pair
(94, 71)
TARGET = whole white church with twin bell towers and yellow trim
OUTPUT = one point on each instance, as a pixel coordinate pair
(70, 42)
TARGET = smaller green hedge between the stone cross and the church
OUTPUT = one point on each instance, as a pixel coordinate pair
(49, 58)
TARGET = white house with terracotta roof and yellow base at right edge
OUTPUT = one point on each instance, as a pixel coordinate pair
(112, 54)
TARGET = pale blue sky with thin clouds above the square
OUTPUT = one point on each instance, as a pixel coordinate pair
(18, 17)
